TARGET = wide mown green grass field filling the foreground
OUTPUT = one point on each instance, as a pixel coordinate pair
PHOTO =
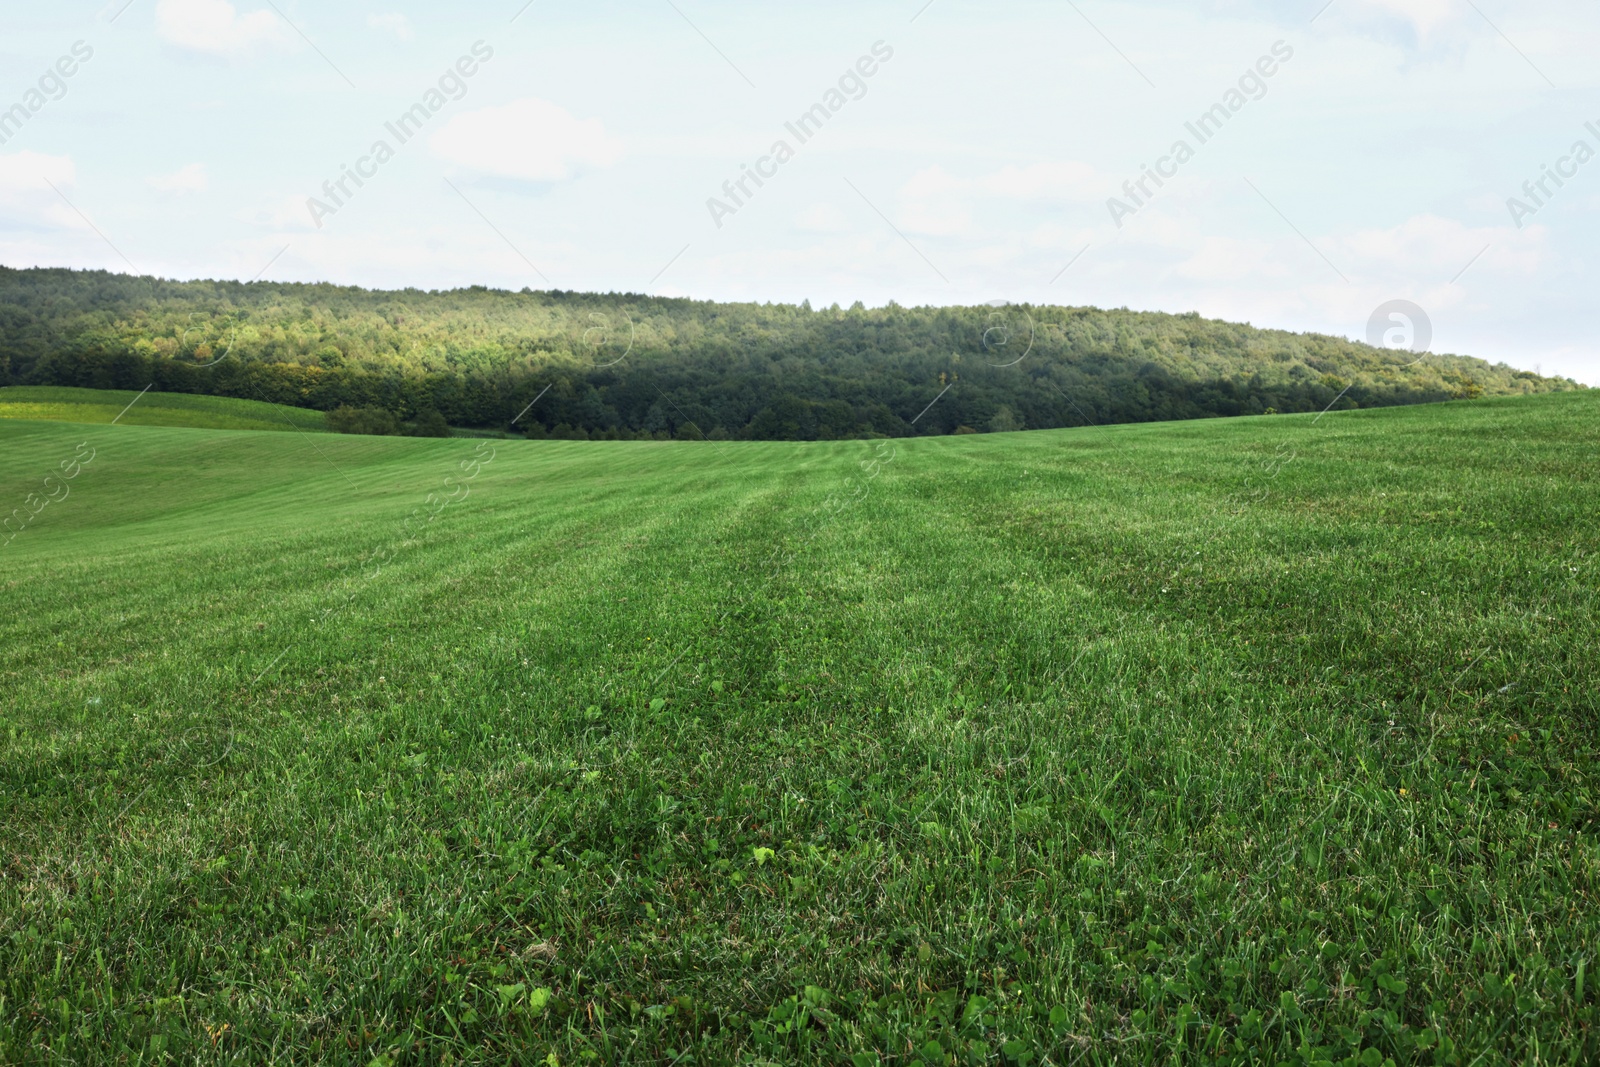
(1241, 741)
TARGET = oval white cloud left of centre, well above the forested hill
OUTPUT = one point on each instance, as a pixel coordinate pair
(529, 140)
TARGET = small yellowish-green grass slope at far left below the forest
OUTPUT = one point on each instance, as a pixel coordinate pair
(154, 409)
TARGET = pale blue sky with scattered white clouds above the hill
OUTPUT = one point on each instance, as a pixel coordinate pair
(1358, 154)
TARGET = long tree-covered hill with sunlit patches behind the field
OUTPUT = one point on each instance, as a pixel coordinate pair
(622, 366)
